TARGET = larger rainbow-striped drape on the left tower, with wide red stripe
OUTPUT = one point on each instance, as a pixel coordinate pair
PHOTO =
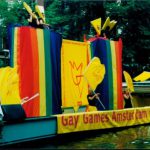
(35, 56)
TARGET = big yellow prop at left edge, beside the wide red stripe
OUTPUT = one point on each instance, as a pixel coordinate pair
(9, 86)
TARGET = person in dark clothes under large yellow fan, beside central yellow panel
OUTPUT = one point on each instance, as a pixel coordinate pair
(93, 99)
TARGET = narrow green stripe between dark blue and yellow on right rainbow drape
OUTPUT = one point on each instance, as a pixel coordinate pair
(110, 75)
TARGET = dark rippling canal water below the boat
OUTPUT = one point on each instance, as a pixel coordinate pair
(137, 137)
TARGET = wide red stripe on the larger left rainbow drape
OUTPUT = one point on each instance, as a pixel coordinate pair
(25, 68)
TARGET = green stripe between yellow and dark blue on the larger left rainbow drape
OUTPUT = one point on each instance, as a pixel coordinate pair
(48, 72)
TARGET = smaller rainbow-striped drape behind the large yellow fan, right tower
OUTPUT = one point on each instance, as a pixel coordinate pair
(110, 54)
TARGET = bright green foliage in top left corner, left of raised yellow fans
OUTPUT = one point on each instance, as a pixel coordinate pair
(11, 13)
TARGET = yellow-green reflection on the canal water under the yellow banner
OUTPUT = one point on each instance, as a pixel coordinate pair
(131, 138)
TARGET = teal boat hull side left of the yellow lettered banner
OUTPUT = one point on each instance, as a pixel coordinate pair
(28, 130)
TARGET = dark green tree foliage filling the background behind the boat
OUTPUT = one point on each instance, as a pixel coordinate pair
(72, 18)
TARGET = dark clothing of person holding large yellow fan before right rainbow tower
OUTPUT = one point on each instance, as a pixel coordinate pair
(94, 102)
